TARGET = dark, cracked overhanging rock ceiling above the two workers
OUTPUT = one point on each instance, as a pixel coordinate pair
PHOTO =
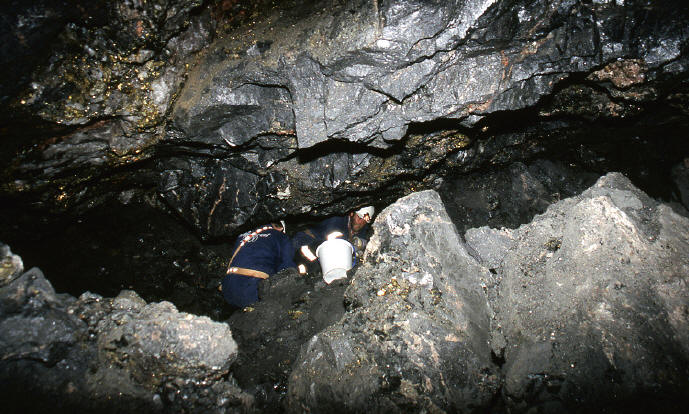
(229, 113)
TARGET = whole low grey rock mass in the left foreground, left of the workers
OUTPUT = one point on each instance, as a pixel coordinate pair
(96, 354)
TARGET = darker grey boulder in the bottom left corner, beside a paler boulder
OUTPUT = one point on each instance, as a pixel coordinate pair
(42, 363)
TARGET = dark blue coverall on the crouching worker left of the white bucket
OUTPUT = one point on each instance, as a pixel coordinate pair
(268, 251)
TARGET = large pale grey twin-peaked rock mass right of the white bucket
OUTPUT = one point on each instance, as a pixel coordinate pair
(582, 310)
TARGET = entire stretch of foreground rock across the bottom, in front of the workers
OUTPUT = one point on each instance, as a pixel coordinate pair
(583, 308)
